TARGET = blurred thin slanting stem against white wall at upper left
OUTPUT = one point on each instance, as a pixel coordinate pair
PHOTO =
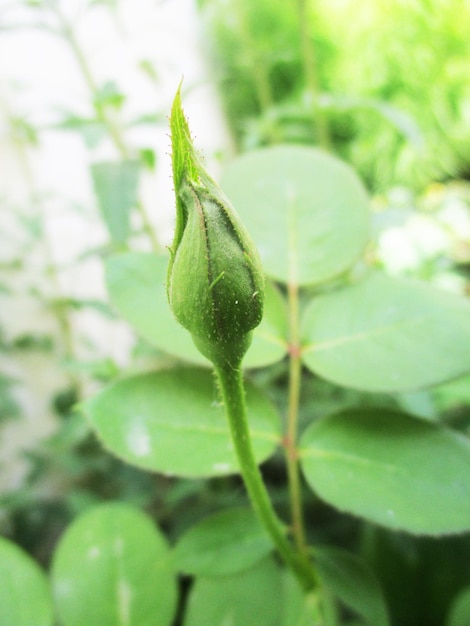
(113, 128)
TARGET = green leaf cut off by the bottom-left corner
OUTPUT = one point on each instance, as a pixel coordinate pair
(25, 598)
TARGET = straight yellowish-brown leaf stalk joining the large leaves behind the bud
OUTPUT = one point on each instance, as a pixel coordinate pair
(295, 370)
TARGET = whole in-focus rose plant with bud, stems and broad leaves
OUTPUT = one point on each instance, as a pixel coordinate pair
(297, 292)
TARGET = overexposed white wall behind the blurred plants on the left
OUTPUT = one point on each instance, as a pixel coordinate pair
(38, 77)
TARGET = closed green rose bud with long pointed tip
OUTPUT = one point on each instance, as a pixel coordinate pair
(215, 282)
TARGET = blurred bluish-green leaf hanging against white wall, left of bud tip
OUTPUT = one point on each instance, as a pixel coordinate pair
(115, 186)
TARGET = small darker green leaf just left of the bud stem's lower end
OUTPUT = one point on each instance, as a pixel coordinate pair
(222, 544)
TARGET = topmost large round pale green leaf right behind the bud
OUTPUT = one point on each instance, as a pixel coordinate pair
(306, 211)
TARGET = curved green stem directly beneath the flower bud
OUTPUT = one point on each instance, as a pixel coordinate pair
(231, 385)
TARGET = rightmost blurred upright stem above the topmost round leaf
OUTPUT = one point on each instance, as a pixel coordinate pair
(311, 77)
